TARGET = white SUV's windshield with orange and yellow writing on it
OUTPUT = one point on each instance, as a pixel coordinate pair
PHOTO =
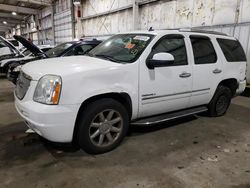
(123, 48)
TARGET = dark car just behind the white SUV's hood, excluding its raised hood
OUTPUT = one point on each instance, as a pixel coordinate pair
(65, 49)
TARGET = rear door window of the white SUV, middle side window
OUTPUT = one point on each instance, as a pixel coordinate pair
(203, 50)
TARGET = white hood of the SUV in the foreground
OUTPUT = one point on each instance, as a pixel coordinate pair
(66, 66)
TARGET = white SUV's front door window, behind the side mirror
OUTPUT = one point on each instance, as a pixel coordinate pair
(173, 44)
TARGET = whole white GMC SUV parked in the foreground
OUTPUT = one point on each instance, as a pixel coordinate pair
(136, 78)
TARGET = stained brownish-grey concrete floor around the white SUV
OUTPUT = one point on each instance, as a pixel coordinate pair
(195, 152)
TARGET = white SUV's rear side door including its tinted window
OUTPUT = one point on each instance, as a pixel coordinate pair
(207, 69)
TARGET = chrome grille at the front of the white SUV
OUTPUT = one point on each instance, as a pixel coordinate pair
(22, 85)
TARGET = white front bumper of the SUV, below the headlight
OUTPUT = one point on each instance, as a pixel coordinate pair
(53, 122)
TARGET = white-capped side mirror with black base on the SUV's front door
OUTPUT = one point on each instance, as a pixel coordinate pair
(160, 60)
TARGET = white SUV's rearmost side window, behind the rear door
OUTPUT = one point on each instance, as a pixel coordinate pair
(232, 50)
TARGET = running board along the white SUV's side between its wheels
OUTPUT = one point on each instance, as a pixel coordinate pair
(169, 116)
